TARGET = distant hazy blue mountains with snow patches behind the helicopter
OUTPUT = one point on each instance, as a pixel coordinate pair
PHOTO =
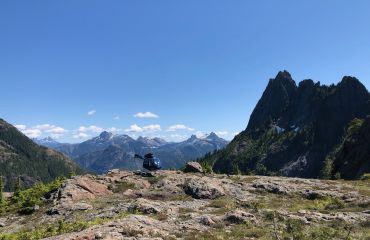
(108, 151)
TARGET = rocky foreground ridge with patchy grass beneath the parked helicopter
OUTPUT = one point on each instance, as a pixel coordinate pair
(176, 205)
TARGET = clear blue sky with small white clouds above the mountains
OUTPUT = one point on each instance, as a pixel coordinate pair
(72, 68)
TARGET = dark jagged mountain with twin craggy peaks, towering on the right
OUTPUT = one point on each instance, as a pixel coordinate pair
(302, 131)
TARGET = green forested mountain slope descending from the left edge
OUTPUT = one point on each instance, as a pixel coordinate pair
(21, 157)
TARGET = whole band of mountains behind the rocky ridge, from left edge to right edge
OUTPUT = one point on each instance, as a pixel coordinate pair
(306, 130)
